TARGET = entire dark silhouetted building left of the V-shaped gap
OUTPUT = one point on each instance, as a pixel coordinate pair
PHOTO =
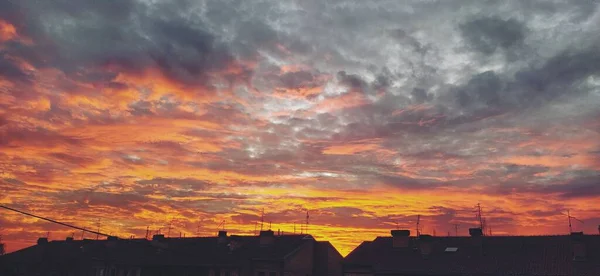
(264, 255)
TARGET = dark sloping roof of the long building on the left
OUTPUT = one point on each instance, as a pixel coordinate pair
(167, 251)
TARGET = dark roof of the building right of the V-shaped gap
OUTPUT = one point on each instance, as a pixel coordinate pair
(507, 255)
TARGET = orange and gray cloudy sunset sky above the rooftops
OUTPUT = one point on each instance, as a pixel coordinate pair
(123, 115)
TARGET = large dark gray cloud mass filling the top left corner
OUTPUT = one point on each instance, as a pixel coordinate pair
(128, 34)
